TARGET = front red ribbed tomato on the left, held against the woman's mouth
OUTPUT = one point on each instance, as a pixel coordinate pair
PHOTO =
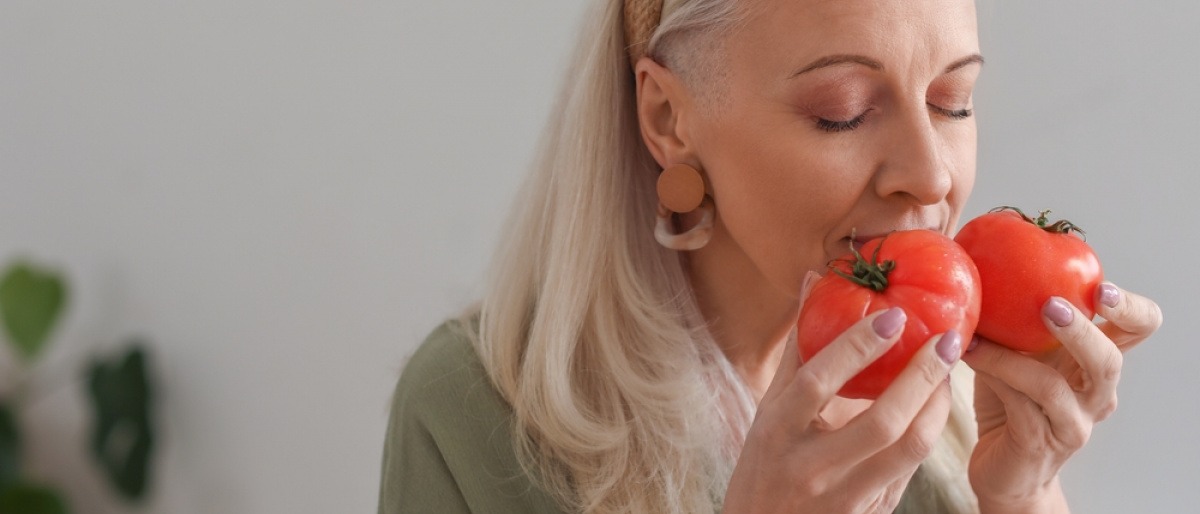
(922, 272)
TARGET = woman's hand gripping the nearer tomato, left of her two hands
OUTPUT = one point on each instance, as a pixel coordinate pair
(795, 462)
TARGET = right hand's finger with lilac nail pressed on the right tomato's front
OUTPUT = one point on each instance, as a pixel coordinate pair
(1097, 356)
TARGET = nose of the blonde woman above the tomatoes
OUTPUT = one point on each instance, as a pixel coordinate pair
(916, 169)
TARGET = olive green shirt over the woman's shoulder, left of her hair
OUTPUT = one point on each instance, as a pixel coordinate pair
(448, 447)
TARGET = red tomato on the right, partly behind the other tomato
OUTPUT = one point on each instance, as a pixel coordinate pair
(1023, 262)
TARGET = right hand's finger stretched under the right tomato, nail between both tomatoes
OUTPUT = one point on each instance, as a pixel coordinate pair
(1043, 385)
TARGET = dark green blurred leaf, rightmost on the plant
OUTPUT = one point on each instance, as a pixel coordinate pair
(122, 440)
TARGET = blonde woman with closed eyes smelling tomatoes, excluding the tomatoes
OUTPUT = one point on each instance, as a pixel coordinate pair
(634, 351)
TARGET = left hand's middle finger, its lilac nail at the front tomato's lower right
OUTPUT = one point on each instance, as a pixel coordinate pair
(893, 415)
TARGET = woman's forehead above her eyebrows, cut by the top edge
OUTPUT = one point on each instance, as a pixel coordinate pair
(905, 32)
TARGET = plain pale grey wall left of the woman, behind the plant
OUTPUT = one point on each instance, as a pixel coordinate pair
(284, 198)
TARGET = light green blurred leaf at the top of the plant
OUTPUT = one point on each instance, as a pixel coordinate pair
(31, 301)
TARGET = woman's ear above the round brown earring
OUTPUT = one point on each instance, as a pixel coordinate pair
(664, 109)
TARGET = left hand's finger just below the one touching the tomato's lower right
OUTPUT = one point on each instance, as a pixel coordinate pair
(901, 461)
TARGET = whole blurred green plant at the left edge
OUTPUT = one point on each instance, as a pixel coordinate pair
(32, 302)
